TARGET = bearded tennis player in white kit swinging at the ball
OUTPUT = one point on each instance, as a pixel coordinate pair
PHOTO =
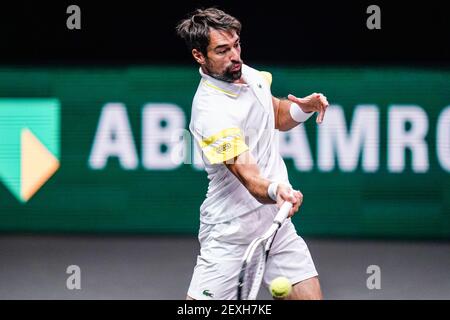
(235, 121)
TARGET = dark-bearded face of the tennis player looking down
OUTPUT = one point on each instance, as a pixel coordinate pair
(223, 58)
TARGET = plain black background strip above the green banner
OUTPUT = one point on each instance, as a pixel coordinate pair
(280, 32)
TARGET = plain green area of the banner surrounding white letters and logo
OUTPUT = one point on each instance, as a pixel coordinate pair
(337, 203)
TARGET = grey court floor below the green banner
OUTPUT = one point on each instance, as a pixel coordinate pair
(148, 267)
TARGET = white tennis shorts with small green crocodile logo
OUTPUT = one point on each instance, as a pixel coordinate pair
(222, 247)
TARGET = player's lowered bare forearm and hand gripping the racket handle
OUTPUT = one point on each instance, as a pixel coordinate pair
(245, 168)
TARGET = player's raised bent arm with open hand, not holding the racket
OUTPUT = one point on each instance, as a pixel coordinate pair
(292, 111)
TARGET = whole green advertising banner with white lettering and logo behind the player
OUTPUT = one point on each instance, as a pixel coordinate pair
(105, 150)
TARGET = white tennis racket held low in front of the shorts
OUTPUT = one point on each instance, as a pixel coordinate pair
(254, 260)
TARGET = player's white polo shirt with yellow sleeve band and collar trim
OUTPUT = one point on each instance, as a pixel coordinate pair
(228, 119)
